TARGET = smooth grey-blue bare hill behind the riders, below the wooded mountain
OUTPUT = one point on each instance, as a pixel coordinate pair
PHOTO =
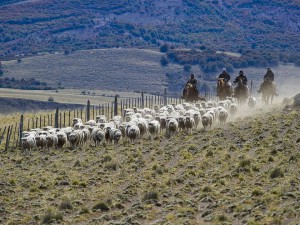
(131, 70)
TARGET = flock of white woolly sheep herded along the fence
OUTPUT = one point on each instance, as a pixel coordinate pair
(136, 123)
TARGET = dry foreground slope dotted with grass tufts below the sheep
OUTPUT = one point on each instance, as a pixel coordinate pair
(246, 172)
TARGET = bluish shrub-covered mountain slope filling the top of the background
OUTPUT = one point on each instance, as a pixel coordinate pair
(30, 27)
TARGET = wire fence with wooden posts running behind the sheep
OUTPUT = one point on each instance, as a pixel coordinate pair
(10, 136)
